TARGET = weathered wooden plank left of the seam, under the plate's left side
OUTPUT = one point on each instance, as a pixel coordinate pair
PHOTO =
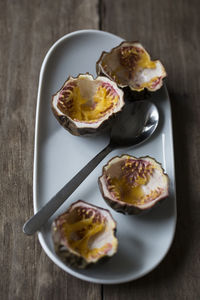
(27, 30)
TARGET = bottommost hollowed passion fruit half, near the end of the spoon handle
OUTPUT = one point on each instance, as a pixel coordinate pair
(84, 234)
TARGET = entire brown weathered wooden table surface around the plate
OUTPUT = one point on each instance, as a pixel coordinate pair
(169, 30)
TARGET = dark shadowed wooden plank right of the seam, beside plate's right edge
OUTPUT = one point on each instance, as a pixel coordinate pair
(170, 31)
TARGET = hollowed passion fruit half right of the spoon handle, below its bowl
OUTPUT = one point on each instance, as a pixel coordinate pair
(133, 185)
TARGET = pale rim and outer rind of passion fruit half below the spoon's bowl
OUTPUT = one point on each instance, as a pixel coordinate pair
(129, 208)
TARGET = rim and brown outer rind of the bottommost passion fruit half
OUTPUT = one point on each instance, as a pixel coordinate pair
(67, 255)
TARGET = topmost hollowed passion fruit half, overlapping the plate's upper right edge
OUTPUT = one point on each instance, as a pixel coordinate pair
(129, 64)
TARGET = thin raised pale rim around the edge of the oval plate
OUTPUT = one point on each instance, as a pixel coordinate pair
(40, 235)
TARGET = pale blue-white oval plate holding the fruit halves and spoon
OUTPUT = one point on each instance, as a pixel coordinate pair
(143, 240)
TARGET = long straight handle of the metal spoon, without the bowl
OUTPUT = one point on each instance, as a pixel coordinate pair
(36, 221)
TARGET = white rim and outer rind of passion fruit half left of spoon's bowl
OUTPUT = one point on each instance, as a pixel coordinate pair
(87, 129)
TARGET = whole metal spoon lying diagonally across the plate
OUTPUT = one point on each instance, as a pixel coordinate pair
(133, 125)
